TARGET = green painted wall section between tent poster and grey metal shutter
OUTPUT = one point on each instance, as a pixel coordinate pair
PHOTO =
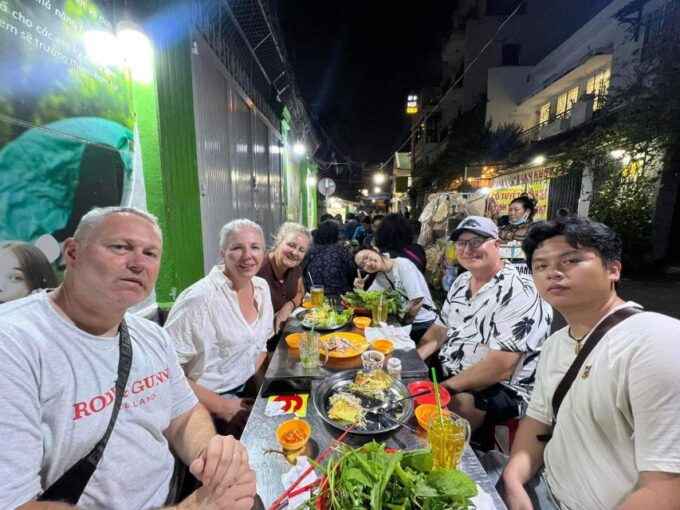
(172, 182)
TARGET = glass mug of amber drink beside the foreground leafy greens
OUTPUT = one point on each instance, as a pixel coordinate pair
(447, 439)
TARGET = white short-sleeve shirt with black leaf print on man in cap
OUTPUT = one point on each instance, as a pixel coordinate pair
(506, 314)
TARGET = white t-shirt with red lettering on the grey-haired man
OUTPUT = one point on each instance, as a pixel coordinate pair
(57, 385)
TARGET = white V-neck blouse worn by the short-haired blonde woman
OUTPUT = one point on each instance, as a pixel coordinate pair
(214, 342)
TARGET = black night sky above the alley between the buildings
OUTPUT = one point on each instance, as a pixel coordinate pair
(356, 61)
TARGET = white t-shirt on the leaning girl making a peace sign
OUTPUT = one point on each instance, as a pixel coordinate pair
(409, 282)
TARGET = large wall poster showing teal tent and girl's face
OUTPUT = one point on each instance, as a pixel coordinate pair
(66, 130)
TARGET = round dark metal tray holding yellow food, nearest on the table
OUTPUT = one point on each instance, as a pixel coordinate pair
(376, 424)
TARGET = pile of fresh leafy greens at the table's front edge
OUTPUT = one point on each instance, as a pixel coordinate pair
(372, 478)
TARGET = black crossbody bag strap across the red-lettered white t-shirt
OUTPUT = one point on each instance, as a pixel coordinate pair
(70, 486)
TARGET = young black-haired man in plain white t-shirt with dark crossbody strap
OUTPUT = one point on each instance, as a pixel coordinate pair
(615, 442)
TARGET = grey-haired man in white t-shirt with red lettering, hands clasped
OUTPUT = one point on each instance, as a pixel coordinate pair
(59, 359)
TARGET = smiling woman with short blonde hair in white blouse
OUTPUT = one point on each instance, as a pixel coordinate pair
(220, 324)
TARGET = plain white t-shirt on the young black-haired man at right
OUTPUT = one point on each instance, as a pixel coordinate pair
(621, 415)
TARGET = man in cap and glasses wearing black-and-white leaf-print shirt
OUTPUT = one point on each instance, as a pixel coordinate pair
(490, 330)
